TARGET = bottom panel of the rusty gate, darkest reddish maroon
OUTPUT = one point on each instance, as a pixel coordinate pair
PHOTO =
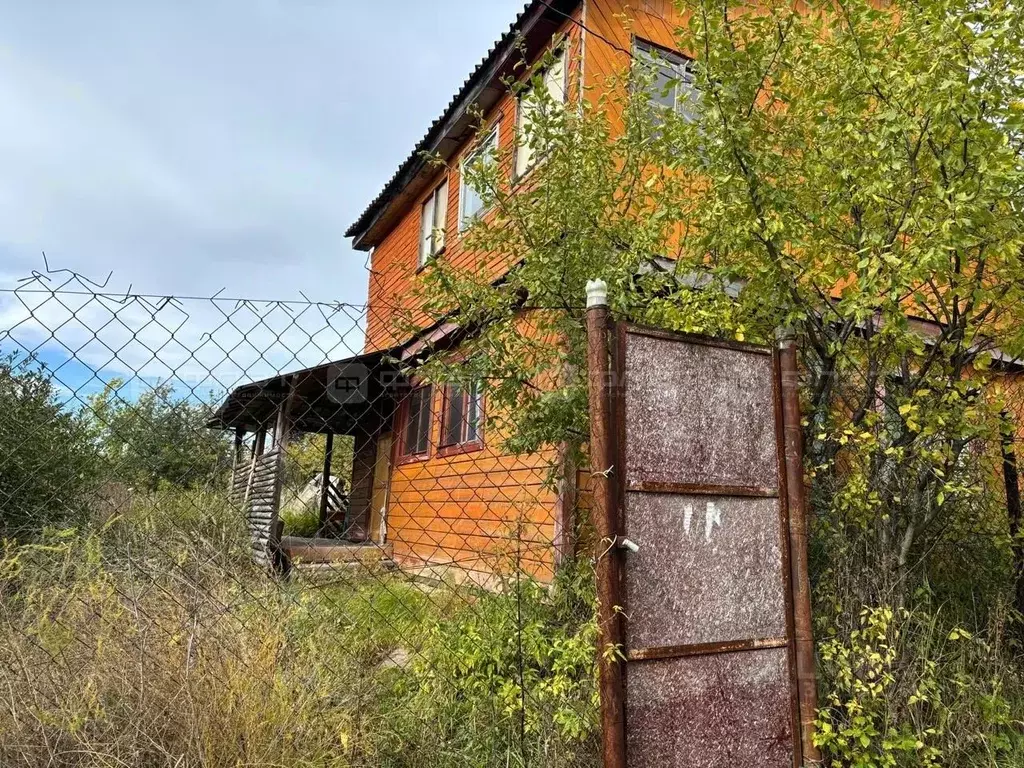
(718, 711)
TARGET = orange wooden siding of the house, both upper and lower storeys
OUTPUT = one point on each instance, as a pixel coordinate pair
(480, 510)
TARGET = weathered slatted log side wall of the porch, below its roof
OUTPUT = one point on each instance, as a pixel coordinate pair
(257, 492)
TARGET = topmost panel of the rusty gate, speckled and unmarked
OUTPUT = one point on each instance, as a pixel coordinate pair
(674, 436)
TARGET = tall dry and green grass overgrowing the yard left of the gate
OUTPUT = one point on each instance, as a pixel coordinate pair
(149, 639)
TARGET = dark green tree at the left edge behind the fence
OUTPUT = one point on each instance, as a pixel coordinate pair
(49, 464)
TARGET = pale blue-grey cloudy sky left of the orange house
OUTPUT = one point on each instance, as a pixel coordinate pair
(193, 146)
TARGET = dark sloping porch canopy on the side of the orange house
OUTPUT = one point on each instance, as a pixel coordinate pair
(356, 396)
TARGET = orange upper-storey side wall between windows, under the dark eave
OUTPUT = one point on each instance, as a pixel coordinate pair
(394, 266)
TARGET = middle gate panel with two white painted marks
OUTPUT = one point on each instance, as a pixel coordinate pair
(710, 570)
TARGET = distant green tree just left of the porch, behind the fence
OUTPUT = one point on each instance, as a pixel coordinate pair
(158, 439)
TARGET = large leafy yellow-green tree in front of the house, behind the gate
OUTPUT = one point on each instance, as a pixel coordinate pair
(852, 174)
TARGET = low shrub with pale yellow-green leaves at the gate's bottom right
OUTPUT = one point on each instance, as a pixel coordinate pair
(914, 689)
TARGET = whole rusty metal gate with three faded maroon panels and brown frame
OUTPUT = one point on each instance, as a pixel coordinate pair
(699, 556)
